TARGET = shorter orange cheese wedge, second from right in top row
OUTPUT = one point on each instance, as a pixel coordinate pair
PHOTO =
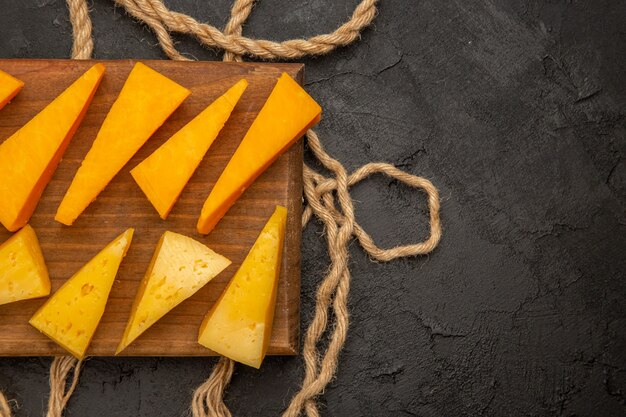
(163, 175)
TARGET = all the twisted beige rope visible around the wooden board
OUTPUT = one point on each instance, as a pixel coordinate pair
(328, 198)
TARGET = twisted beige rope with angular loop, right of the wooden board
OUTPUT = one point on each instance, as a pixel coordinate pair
(340, 225)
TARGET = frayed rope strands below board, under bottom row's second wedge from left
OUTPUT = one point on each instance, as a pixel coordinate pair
(59, 371)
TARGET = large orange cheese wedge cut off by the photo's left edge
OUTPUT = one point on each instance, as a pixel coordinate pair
(30, 156)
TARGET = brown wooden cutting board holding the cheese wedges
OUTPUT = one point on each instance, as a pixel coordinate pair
(122, 205)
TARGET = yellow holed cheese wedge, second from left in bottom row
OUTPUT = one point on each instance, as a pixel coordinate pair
(71, 316)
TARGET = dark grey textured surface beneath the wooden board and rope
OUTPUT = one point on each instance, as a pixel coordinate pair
(516, 111)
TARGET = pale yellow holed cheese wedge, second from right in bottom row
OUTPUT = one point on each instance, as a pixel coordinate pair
(180, 266)
